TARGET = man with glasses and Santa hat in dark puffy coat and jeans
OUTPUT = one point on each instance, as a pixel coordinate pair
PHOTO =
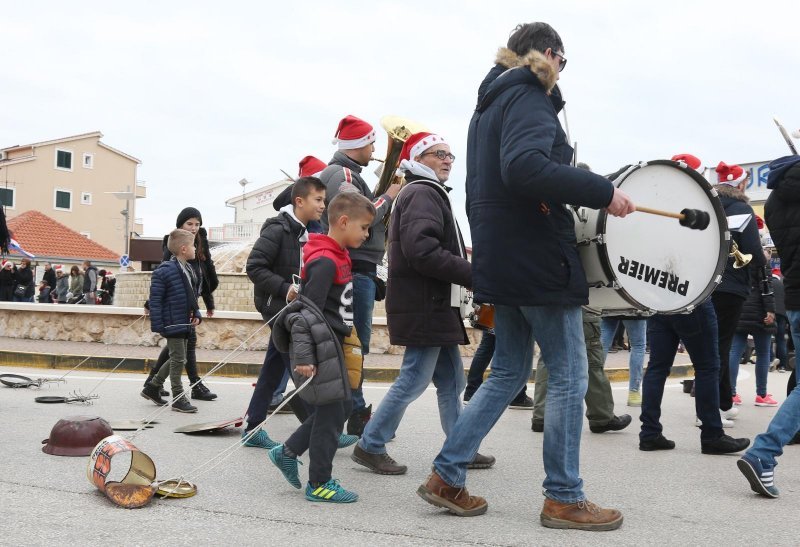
(427, 266)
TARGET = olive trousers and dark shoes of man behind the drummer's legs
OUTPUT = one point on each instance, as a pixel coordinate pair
(599, 401)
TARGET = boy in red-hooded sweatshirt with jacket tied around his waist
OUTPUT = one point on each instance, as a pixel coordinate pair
(327, 283)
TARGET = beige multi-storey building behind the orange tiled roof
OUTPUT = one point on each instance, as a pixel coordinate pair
(78, 181)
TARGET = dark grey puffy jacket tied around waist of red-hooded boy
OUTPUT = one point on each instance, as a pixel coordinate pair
(302, 332)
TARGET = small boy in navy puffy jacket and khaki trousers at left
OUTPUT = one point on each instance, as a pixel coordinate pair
(173, 312)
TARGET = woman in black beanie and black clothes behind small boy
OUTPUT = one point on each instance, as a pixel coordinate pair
(191, 220)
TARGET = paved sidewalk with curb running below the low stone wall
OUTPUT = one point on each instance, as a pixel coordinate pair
(56, 354)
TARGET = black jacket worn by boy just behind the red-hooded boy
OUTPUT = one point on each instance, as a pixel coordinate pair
(275, 257)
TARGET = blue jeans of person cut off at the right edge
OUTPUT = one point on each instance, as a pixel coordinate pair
(784, 425)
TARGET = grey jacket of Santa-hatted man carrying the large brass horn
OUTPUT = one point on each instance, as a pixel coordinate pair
(342, 170)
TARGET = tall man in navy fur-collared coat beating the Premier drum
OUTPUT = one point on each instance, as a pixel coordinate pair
(526, 263)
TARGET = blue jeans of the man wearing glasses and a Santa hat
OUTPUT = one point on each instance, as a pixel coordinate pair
(420, 365)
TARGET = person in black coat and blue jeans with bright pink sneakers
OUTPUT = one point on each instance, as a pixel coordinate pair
(758, 320)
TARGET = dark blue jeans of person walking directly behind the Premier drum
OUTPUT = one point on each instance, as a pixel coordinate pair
(698, 332)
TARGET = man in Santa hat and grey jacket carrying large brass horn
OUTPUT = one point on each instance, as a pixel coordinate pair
(355, 140)
